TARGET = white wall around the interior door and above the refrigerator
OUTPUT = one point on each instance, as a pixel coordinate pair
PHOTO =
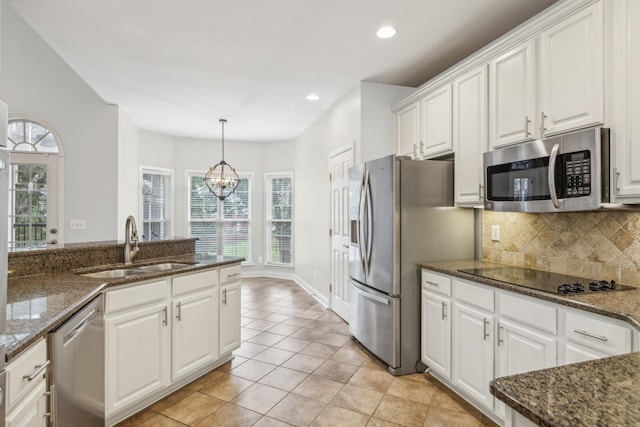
(362, 118)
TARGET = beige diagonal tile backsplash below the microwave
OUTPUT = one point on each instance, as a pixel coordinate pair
(599, 245)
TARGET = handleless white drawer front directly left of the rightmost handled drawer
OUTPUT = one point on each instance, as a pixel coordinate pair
(529, 313)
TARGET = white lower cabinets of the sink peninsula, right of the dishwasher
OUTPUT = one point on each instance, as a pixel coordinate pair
(163, 333)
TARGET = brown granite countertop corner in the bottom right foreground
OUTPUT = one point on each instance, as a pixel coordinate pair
(603, 392)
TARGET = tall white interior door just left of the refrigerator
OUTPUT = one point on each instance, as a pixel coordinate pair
(340, 162)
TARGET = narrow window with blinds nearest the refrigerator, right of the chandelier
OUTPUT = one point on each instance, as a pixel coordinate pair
(279, 219)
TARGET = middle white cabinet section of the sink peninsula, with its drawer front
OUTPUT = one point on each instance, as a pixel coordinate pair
(194, 322)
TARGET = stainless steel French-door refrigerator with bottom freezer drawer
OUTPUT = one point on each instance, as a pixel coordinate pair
(401, 213)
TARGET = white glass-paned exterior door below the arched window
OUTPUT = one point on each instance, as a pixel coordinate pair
(33, 200)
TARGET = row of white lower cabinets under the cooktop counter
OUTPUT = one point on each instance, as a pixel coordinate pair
(495, 333)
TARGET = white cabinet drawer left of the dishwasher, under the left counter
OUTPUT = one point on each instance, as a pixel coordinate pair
(25, 365)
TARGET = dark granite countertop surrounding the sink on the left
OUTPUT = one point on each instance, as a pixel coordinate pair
(38, 304)
